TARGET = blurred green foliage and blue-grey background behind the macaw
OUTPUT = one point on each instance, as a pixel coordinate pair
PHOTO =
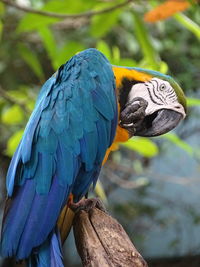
(151, 186)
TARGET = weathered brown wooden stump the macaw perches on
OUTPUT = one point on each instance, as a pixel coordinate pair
(102, 242)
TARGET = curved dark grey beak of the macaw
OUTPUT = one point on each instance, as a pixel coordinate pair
(160, 122)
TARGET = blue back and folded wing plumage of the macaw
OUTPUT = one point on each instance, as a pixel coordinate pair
(64, 143)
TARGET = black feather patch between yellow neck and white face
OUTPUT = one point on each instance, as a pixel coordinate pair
(124, 92)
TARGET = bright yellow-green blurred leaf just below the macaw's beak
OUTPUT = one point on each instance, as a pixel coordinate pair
(143, 146)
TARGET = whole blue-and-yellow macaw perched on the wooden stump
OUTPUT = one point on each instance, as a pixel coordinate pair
(82, 112)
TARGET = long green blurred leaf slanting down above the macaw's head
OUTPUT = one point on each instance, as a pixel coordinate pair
(145, 42)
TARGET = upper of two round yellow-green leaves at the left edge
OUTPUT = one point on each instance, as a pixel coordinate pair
(12, 115)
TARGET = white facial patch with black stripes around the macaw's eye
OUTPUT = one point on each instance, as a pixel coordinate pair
(159, 94)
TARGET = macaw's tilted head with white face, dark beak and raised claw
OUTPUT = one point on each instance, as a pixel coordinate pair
(150, 103)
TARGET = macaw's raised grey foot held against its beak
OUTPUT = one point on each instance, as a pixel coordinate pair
(133, 114)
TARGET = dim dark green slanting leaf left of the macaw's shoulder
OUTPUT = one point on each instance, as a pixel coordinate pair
(31, 59)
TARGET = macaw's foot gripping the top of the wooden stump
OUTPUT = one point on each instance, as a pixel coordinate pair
(87, 204)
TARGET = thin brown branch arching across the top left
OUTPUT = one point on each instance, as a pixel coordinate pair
(89, 13)
